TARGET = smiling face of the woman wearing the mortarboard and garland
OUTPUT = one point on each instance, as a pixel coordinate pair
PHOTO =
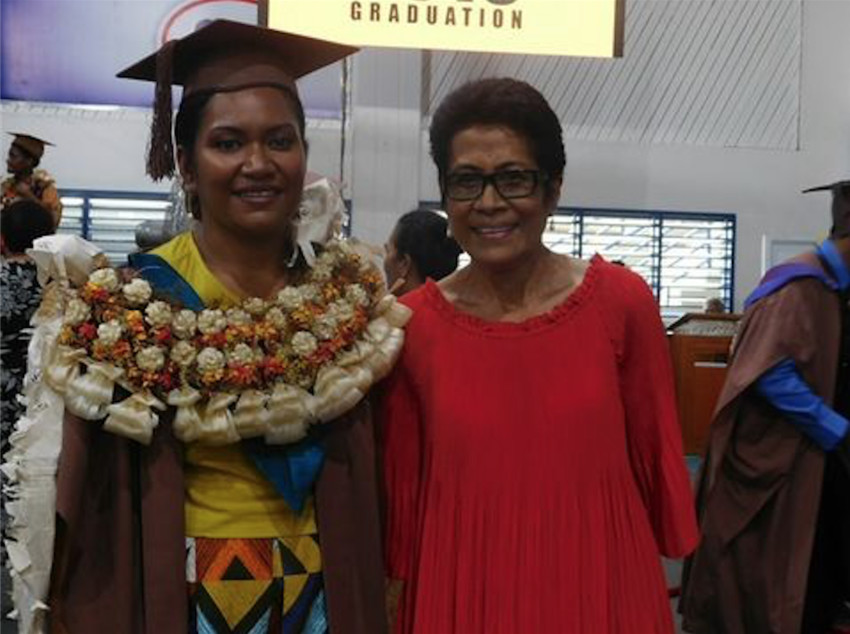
(248, 164)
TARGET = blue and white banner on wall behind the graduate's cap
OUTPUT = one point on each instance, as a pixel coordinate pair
(68, 51)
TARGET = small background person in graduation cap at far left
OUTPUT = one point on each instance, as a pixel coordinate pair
(27, 182)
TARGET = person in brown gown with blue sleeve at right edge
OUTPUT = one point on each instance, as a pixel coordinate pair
(774, 491)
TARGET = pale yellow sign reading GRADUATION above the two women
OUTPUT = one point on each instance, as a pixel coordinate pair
(592, 28)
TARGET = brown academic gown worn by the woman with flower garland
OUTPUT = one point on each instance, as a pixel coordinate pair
(119, 565)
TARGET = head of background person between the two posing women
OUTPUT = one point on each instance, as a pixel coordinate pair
(419, 248)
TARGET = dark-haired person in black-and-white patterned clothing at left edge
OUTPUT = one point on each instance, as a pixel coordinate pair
(20, 294)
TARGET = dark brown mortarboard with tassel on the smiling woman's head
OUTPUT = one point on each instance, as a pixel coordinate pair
(224, 56)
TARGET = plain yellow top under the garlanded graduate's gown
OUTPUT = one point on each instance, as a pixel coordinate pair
(226, 496)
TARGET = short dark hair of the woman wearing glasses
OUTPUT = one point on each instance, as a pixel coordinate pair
(506, 102)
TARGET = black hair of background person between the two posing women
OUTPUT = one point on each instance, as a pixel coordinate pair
(423, 235)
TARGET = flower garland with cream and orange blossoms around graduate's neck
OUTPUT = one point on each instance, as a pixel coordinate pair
(263, 368)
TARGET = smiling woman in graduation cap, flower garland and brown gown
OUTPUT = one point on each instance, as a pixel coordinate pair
(252, 504)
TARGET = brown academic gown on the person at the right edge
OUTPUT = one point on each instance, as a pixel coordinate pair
(760, 486)
